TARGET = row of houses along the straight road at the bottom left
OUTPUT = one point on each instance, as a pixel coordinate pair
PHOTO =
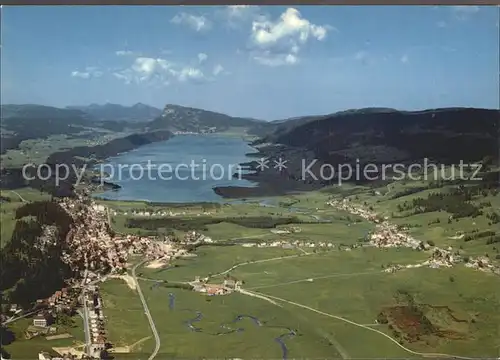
(97, 324)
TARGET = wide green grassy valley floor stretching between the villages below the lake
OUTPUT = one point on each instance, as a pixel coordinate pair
(461, 304)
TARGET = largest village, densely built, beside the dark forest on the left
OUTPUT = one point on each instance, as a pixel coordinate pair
(94, 253)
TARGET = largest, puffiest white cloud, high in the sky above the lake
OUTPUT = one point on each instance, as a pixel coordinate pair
(276, 43)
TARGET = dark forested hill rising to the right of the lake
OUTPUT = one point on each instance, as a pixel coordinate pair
(447, 135)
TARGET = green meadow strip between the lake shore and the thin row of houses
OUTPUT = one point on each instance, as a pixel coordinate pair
(309, 211)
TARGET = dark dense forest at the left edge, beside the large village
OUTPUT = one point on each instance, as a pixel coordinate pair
(31, 270)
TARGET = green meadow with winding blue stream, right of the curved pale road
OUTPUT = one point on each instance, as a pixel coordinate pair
(179, 341)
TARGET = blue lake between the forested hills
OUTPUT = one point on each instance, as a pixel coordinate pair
(185, 168)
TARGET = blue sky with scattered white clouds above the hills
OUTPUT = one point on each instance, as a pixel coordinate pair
(264, 62)
